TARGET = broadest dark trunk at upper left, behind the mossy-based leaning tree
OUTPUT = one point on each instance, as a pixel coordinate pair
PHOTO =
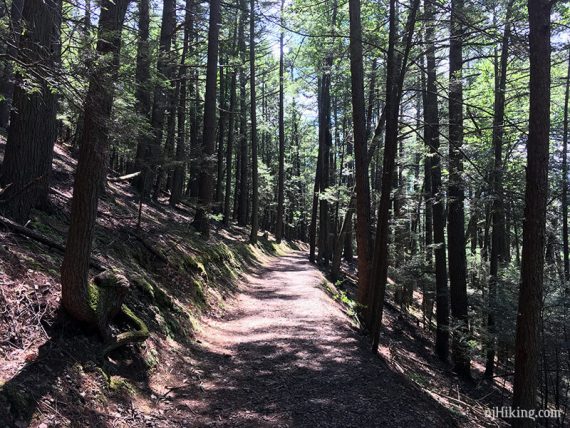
(33, 128)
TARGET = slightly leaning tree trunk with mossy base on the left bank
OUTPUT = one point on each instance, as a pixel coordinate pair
(91, 167)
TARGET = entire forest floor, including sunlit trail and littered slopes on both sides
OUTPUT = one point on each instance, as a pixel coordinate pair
(241, 335)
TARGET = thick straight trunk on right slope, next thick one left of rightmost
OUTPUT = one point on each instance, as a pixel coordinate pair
(456, 216)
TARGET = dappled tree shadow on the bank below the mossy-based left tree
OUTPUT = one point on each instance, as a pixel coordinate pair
(54, 380)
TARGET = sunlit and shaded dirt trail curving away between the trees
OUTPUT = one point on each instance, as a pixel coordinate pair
(285, 355)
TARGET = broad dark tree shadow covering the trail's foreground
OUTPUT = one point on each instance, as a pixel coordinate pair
(308, 380)
